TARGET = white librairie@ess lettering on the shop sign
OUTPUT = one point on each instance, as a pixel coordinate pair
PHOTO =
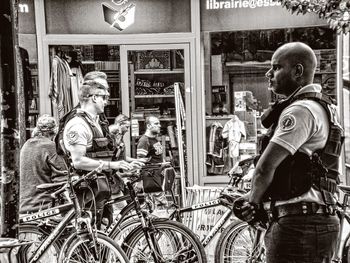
(234, 4)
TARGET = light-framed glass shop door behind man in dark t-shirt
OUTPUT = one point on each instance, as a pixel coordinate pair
(149, 90)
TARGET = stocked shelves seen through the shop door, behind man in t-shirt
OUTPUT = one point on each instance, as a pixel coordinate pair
(157, 100)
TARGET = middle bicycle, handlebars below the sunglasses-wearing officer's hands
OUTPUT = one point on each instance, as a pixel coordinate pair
(151, 239)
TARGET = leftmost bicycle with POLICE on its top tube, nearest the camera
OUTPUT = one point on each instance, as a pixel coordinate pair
(86, 243)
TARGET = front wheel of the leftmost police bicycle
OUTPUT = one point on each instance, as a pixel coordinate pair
(78, 249)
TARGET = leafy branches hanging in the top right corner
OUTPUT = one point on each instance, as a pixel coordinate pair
(337, 12)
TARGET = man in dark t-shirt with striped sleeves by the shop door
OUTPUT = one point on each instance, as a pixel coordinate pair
(150, 148)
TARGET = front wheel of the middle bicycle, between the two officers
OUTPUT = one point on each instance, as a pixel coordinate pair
(174, 241)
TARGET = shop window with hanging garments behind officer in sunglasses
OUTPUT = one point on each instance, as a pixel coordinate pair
(69, 64)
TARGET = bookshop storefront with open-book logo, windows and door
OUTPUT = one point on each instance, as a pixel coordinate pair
(217, 53)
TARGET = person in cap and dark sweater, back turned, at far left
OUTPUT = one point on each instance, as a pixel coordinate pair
(39, 163)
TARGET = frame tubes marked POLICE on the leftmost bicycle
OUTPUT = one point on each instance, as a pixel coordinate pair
(57, 231)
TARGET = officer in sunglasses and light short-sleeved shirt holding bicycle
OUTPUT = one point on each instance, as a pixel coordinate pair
(89, 143)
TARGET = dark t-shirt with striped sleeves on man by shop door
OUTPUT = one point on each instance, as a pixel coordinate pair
(150, 147)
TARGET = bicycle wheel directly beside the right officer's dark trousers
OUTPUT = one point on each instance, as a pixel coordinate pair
(236, 244)
